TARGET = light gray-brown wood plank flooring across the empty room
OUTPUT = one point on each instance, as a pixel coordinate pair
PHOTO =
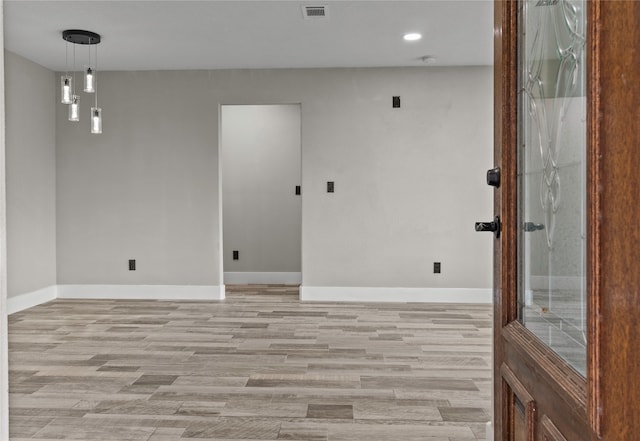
(258, 366)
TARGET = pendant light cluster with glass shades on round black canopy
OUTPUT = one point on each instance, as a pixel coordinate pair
(68, 96)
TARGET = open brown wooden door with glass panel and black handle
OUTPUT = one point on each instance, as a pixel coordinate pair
(567, 261)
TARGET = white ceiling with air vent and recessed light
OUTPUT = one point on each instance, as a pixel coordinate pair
(207, 34)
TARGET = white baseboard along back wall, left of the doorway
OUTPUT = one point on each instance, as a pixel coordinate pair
(142, 292)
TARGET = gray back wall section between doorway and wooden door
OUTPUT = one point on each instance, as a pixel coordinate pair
(409, 181)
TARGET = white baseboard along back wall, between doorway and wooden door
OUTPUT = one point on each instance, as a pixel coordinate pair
(422, 295)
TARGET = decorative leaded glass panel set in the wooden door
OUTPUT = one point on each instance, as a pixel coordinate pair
(552, 175)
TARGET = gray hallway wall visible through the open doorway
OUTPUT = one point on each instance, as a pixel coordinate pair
(262, 216)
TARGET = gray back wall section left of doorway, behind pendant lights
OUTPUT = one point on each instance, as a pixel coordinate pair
(145, 189)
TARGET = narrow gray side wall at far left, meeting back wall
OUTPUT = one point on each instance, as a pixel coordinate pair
(30, 103)
